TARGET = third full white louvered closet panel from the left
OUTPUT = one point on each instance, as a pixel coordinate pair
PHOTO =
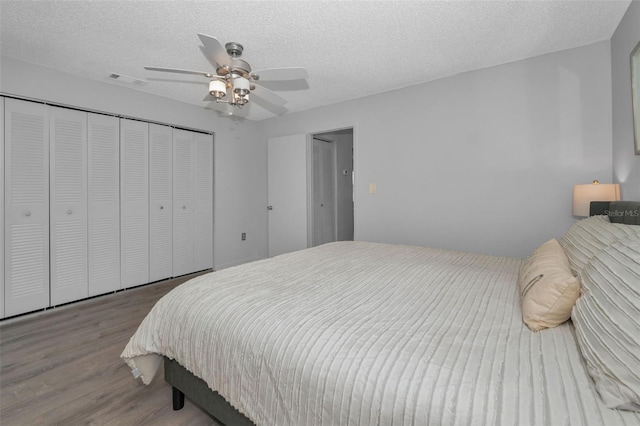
(104, 203)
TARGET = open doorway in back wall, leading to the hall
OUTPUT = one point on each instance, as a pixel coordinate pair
(331, 207)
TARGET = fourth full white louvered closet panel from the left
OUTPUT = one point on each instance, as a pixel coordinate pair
(134, 199)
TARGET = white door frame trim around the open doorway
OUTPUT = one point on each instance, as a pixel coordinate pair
(310, 136)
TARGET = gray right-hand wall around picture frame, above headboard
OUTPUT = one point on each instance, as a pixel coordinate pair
(626, 165)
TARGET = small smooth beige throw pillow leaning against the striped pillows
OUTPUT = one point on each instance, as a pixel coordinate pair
(548, 289)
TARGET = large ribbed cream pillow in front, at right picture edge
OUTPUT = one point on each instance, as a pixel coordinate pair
(607, 323)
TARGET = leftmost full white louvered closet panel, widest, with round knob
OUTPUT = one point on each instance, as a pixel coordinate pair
(26, 233)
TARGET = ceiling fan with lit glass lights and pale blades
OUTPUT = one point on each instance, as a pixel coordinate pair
(233, 80)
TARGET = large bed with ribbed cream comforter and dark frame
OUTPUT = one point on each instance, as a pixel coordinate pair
(379, 334)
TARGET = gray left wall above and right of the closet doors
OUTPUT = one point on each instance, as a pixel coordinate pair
(240, 156)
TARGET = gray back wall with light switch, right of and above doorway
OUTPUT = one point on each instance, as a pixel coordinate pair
(483, 161)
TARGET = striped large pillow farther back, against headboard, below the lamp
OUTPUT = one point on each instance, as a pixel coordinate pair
(589, 236)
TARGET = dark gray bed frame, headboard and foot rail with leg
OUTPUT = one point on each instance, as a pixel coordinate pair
(184, 382)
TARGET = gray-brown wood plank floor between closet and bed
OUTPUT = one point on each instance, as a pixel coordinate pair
(63, 366)
